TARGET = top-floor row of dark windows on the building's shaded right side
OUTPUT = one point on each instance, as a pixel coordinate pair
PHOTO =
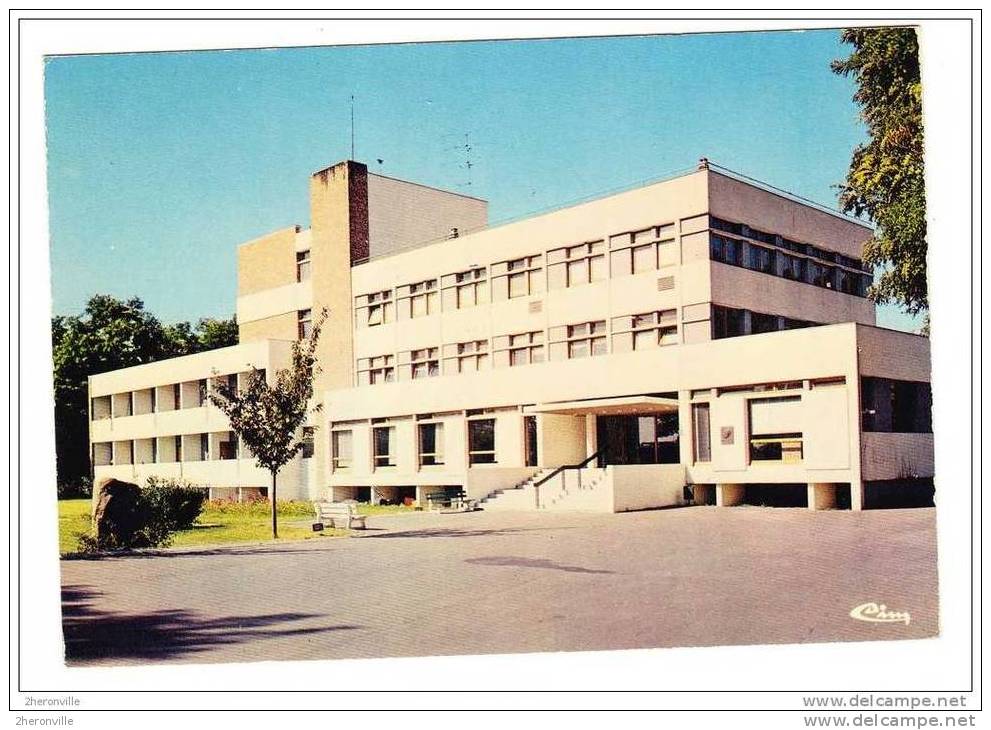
(786, 266)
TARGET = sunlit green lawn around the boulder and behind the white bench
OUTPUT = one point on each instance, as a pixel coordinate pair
(220, 523)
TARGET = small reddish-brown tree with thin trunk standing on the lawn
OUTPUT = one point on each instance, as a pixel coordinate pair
(269, 418)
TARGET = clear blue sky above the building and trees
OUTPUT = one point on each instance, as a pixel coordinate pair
(160, 164)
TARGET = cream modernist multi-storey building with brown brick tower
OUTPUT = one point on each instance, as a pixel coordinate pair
(702, 339)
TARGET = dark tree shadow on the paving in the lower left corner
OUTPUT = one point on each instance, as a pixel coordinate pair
(91, 634)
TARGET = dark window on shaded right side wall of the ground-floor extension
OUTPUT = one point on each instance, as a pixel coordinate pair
(896, 406)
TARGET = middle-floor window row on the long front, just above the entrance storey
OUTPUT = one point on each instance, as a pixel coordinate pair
(642, 331)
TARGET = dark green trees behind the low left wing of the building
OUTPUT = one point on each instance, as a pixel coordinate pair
(110, 334)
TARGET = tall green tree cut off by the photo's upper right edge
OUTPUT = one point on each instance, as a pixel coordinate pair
(886, 180)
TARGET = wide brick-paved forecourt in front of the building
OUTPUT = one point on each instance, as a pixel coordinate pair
(426, 584)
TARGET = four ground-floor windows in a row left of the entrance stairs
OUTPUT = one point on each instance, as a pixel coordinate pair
(429, 441)
